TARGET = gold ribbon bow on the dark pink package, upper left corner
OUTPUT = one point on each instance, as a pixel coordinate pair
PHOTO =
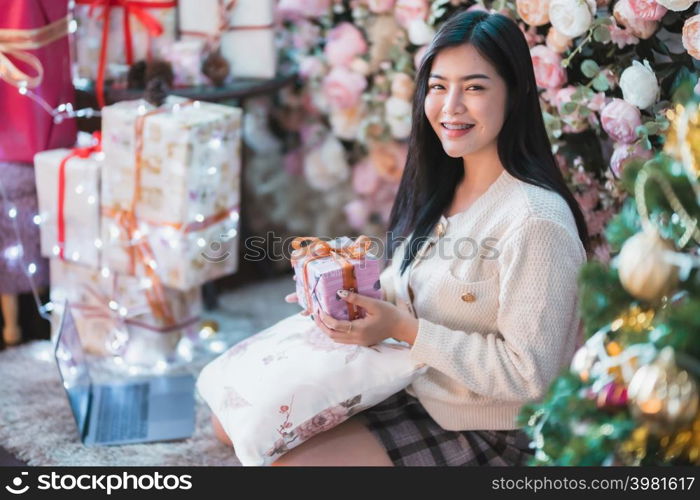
(16, 43)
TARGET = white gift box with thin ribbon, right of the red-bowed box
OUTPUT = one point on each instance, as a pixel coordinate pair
(243, 30)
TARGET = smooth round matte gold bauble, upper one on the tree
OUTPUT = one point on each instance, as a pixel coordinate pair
(643, 270)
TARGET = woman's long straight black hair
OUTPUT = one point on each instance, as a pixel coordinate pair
(430, 176)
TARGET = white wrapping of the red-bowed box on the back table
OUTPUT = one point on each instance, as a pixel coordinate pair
(88, 38)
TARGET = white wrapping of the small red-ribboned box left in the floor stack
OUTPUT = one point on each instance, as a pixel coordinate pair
(81, 211)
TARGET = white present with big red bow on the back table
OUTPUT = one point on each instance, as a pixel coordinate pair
(113, 34)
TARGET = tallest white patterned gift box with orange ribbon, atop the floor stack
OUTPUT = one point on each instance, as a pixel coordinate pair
(170, 190)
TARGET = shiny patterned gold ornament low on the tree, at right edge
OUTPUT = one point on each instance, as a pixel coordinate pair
(663, 395)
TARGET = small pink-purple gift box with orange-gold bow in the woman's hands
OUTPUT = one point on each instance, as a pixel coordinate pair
(322, 268)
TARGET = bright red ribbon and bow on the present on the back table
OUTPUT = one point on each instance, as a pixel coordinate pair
(138, 9)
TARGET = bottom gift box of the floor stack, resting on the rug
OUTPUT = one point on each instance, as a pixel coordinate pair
(114, 315)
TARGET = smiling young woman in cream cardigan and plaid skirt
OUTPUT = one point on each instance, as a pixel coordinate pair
(483, 285)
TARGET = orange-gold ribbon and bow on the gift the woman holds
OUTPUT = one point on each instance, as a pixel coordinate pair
(309, 248)
